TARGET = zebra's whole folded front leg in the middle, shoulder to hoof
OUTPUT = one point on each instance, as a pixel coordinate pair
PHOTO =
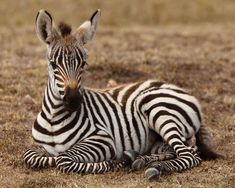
(95, 154)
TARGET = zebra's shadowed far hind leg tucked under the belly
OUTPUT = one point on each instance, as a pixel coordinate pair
(159, 152)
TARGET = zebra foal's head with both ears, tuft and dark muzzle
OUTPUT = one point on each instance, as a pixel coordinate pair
(66, 55)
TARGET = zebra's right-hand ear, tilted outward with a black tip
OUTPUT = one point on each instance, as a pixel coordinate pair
(87, 30)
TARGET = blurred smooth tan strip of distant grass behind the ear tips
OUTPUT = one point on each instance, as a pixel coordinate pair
(121, 12)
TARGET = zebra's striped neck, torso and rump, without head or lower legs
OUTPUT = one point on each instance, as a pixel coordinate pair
(120, 112)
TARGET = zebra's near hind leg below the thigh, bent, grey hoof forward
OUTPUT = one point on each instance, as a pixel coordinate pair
(186, 158)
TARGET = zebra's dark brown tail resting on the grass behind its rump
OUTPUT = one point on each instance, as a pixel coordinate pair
(204, 145)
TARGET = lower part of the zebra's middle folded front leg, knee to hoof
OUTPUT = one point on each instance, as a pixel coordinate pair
(69, 164)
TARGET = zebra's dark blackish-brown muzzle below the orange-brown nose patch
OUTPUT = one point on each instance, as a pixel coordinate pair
(72, 99)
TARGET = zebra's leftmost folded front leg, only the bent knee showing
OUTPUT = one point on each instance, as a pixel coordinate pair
(37, 157)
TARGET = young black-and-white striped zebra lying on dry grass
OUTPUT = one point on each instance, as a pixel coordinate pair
(146, 124)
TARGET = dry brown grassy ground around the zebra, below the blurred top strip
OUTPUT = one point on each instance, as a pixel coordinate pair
(199, 57)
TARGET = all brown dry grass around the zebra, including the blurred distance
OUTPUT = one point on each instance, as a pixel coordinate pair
(193, 48)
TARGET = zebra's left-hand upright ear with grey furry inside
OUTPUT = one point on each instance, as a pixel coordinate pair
(44, 25)
